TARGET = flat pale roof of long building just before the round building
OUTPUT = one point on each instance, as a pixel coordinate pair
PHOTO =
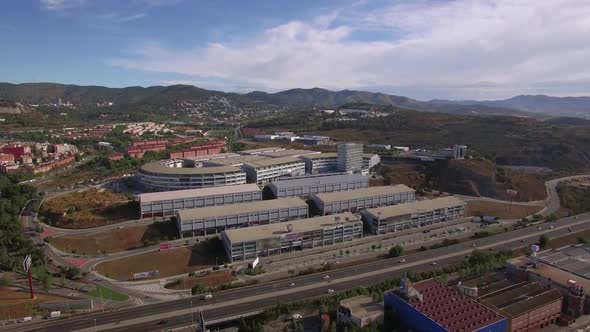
(189, 193)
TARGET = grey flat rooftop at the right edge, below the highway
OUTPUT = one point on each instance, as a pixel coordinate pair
(574, 259)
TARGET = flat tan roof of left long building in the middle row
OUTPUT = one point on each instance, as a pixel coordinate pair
(240, 208)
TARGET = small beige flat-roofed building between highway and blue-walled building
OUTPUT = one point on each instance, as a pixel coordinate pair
(359, 311)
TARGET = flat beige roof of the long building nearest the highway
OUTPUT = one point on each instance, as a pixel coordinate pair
(276, 230)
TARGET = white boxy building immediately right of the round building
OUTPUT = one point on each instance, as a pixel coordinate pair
(263, 171)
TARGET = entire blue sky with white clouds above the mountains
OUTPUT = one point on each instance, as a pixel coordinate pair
(423, 49)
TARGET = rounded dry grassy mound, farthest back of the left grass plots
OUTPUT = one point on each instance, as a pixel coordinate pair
(88, 208)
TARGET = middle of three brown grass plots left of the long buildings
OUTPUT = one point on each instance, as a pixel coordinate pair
(115, 240)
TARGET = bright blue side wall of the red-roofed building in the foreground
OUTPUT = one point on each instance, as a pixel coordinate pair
(411, 317)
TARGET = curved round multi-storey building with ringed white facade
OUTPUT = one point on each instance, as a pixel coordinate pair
(173, 175)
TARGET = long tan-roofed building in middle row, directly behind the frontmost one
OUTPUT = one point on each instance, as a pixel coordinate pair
(215, 219)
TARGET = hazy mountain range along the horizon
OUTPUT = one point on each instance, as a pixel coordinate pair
(538, 106)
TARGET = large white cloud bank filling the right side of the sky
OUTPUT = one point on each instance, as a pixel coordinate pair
(449, 48)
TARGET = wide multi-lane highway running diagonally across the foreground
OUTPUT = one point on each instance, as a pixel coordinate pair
(246, 299)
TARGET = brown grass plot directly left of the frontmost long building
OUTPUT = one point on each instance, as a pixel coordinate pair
(168, 262)
